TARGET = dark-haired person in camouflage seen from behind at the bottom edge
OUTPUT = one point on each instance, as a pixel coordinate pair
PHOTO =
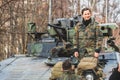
(68, 72)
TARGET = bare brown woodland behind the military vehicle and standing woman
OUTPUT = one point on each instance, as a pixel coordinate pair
(16, 14)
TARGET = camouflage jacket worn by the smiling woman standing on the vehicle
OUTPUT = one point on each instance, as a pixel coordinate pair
(88, 38)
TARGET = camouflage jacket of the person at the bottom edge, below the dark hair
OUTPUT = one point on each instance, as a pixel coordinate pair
(69, 75)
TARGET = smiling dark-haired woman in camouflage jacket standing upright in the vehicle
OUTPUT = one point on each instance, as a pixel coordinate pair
(88, 38)
